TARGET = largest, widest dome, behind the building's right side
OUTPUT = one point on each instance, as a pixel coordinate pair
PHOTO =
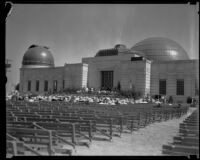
(160, 49)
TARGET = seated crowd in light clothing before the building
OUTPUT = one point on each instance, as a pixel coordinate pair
(100, 97)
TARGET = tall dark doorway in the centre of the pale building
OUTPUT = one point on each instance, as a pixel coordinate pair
(106, 80)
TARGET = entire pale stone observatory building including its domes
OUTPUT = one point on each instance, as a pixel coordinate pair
(155, 66)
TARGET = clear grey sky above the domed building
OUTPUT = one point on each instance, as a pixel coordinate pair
(74, 31)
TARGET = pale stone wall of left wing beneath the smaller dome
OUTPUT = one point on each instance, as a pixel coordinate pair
(73, 75)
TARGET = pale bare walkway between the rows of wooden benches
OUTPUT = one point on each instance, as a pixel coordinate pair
(145, 141)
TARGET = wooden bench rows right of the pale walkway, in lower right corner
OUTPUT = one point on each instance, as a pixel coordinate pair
(187, 142)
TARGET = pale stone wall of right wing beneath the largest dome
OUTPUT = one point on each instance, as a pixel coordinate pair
(186, 70)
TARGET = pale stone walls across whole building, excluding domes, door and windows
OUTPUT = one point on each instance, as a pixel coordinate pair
(143, 75)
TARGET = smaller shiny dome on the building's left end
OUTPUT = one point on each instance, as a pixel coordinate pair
(38, 56)
